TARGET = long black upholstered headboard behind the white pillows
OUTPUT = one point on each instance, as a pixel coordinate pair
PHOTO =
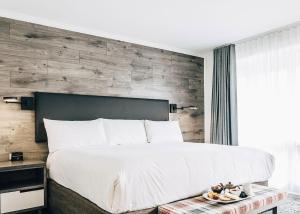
(85, 107)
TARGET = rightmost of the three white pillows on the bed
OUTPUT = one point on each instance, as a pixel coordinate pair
(163, 132)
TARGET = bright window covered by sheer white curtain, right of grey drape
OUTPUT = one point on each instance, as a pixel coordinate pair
(268, 96)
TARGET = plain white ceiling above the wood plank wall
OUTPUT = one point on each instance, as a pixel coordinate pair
(187, 26)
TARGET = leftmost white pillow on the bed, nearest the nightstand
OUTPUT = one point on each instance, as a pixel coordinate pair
(71, 134)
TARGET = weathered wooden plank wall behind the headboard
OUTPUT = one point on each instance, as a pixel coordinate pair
(41, 58)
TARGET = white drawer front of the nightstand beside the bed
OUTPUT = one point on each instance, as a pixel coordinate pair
(13, 201)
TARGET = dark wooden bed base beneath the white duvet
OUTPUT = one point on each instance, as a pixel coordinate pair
(62, 200)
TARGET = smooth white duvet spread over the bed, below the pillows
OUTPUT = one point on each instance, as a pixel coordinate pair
(128, 178)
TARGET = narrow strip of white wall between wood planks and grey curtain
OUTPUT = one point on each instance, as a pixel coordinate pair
(208, 73)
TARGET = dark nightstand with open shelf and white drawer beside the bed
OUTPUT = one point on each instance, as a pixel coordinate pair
(22, 186)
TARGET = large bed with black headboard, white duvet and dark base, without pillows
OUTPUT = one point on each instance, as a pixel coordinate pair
(135, 178)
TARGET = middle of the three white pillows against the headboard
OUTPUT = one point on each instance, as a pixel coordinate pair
(125, 132)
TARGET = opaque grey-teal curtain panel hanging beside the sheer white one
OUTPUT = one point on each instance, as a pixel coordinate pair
(224, 105)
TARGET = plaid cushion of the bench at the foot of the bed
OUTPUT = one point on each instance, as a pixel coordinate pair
(264, 196)
